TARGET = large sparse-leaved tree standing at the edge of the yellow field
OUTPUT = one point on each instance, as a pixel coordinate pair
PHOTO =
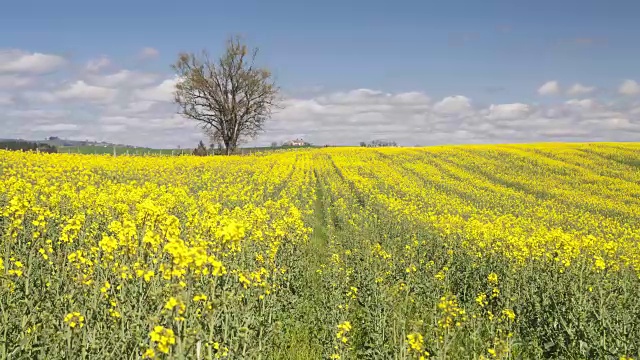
(231, 98)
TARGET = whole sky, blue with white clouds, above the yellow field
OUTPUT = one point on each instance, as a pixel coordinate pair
(414, 72)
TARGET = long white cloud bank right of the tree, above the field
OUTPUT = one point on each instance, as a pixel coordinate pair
(451, 120)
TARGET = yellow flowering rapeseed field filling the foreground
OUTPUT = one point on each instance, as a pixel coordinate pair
(451, 252)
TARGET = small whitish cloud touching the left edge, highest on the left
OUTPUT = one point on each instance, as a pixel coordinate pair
(20, 62)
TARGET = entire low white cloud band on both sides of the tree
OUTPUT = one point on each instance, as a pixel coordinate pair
(131, 106)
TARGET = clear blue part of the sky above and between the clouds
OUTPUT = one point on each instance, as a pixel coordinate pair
(491, 52)
